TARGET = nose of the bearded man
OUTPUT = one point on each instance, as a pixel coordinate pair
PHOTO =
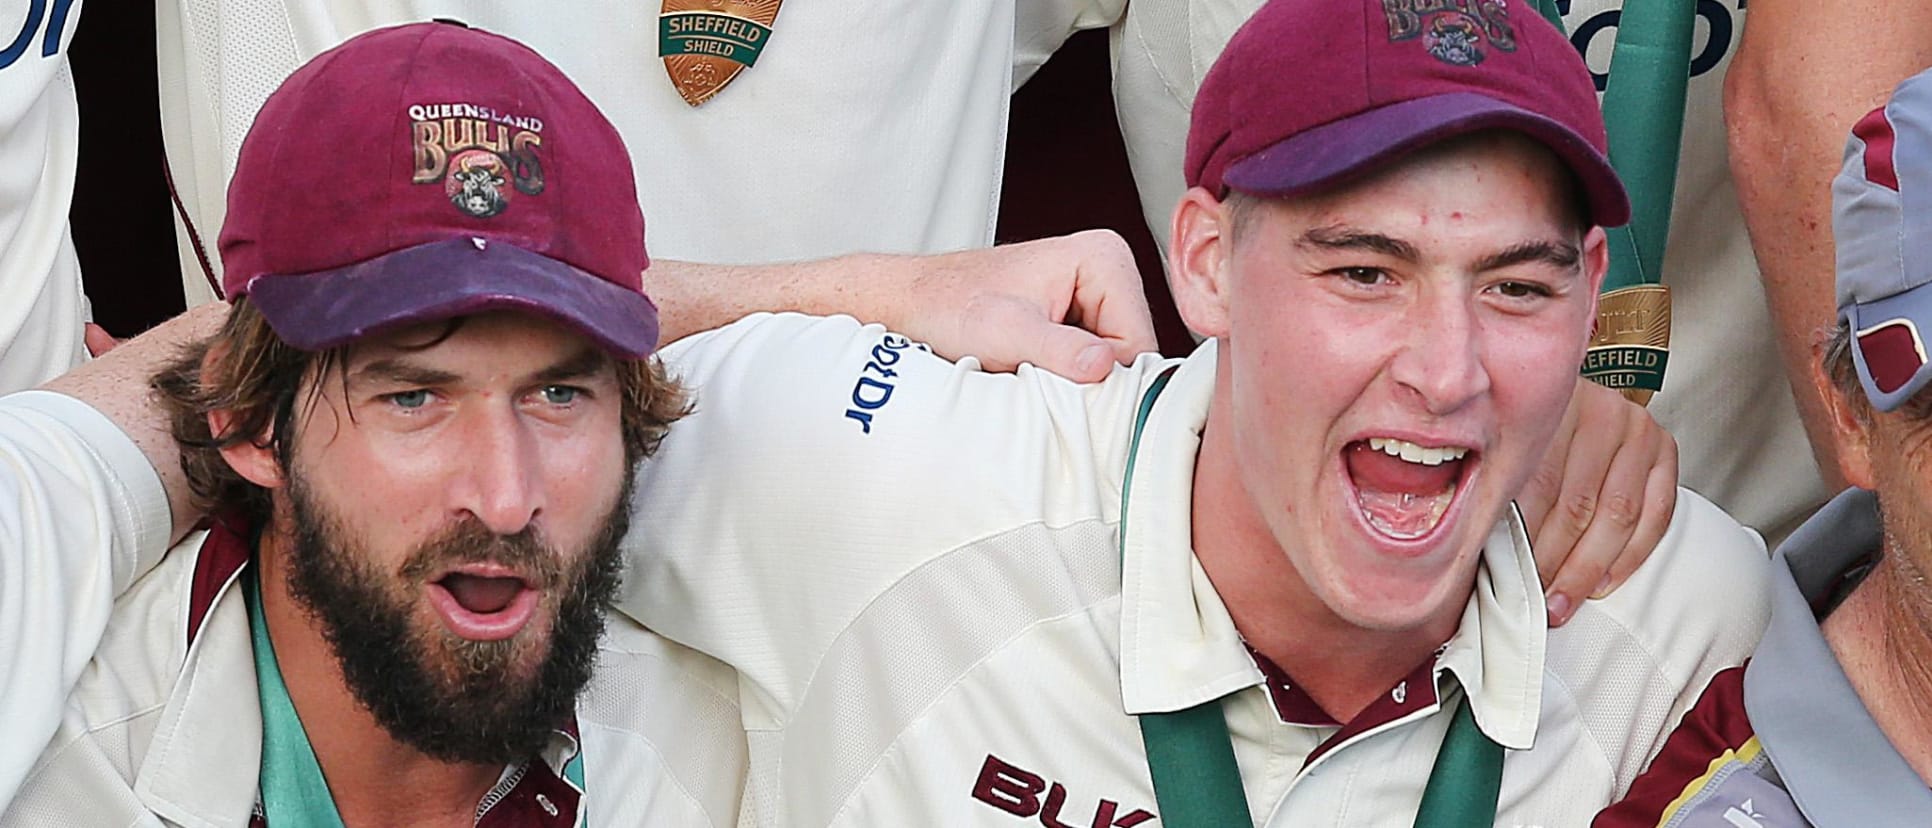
(497, 478)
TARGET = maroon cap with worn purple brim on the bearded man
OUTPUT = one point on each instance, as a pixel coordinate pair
(434, 171)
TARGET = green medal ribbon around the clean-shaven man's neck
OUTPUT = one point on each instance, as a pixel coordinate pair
(1191, 756)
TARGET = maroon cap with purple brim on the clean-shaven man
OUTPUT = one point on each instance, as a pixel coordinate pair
(1313, 94)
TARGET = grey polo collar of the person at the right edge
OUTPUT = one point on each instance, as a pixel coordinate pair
(1831, 756)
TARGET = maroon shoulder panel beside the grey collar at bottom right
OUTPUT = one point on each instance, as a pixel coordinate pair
(1713, 727)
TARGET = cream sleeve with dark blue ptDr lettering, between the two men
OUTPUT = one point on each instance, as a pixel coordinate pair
(828, 460)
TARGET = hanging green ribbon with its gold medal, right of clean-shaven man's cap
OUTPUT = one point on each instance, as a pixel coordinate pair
(1645, 115)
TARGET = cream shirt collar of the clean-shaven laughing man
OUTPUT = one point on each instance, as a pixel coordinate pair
(1178, 640)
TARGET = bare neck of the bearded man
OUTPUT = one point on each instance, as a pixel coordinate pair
(368, 771)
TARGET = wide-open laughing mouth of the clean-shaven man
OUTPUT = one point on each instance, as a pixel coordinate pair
(1406, 489)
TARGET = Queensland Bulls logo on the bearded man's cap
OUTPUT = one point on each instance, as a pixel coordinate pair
(482, 157)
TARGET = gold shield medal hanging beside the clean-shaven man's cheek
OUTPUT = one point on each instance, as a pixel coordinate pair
(1632, 343)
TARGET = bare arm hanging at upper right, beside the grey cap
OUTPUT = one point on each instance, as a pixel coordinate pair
(1804, 74)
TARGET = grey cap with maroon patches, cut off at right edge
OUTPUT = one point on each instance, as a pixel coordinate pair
(1883, 231)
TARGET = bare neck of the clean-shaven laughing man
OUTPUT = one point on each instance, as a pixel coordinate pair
(1340, 665)
